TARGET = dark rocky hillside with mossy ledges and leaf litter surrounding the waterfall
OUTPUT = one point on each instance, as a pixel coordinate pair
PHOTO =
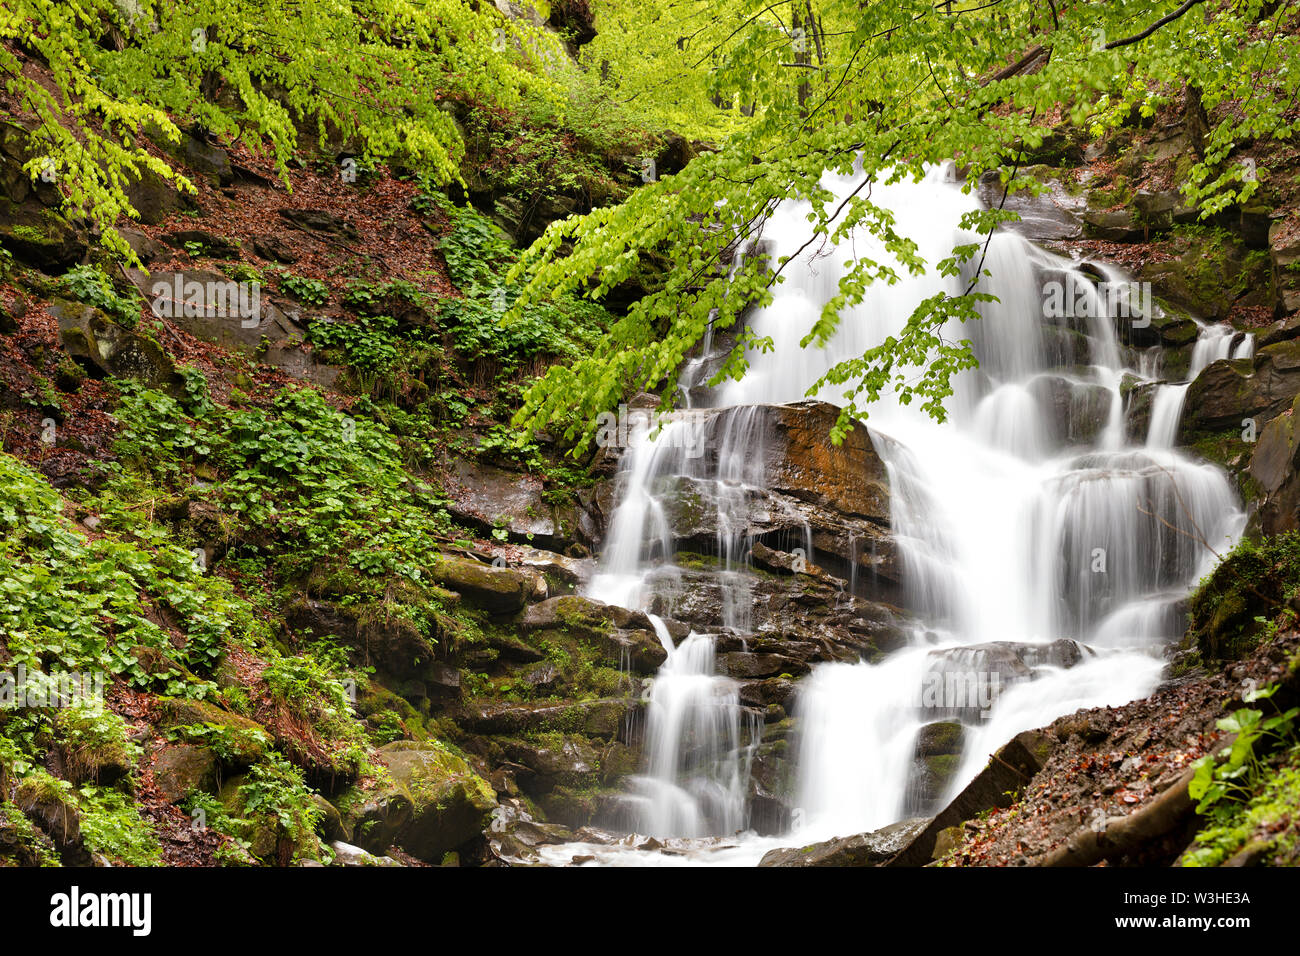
(488, 708)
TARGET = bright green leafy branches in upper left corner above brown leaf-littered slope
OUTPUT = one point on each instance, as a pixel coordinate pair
(375, 72)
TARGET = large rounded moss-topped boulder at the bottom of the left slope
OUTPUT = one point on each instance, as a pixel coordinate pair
(450, 804)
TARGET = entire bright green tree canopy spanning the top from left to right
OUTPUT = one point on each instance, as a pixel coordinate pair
(777, 94)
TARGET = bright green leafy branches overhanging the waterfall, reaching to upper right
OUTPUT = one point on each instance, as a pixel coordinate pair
(792, 90)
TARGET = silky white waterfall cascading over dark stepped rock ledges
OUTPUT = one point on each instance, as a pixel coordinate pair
(1016, 522)
